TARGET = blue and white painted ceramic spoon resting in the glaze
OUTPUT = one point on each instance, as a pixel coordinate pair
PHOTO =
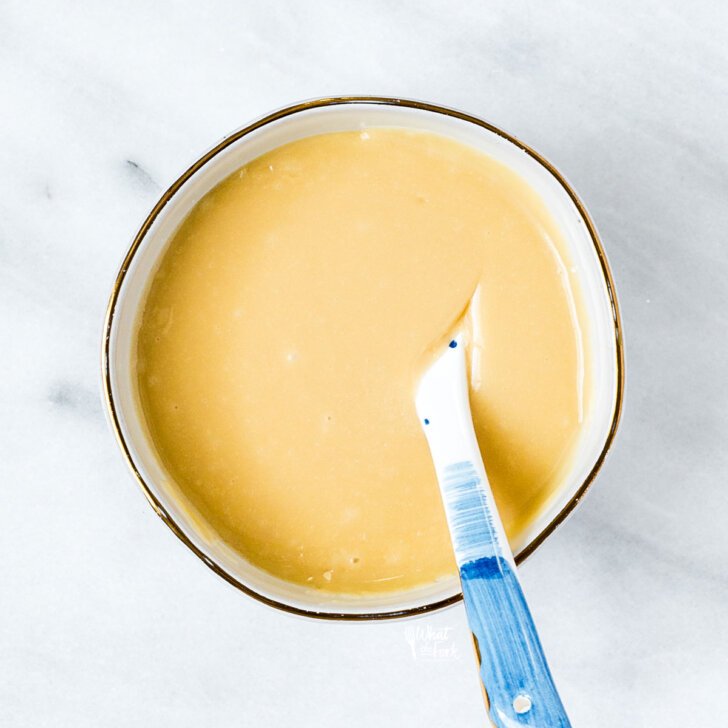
(516, 678)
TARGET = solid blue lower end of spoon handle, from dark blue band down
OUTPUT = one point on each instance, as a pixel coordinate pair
(512, 662)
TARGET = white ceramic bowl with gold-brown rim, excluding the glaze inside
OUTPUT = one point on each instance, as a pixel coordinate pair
(302, 120)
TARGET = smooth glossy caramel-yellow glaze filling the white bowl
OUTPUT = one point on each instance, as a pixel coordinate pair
(283, 331)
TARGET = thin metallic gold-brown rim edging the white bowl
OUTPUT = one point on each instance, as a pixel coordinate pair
(234, 137)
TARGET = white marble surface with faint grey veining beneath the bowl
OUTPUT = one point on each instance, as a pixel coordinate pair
(105, 619)
